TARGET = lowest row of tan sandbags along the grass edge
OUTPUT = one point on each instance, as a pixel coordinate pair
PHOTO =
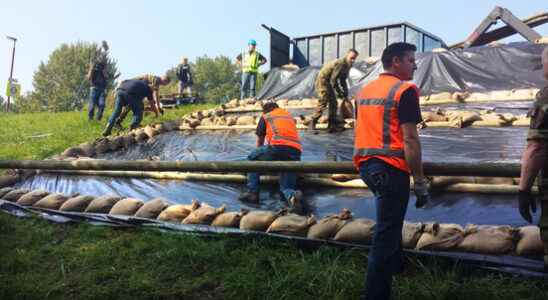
(486, 239)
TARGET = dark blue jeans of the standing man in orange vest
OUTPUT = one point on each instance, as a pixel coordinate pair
(391, 188)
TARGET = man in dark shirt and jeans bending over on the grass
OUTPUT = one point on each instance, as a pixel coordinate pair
(131, 93)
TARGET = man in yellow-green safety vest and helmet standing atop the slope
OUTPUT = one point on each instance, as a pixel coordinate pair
(249, 61)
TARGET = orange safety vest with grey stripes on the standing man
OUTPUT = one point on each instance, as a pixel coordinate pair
(377, 131)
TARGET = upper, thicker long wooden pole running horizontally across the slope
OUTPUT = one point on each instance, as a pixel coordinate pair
(486, 169)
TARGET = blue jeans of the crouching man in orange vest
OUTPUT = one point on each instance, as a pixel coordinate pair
(288, 181)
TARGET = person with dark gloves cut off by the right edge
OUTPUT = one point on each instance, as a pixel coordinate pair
(535, 162)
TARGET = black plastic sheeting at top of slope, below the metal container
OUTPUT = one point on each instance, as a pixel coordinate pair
(477, 69)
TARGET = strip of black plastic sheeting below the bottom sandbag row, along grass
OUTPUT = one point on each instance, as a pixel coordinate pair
(522, 266)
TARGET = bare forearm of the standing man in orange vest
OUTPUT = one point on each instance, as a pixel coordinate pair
(413, 151)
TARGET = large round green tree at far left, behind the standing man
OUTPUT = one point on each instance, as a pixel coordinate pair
(60, 84)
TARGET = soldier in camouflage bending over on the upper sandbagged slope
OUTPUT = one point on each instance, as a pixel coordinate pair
(330, 84)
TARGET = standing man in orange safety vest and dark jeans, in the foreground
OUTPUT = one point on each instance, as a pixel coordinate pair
(386, 150)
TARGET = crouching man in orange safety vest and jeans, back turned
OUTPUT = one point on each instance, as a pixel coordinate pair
(279, 129)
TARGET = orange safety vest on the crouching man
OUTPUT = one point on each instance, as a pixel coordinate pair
(281, 129)
